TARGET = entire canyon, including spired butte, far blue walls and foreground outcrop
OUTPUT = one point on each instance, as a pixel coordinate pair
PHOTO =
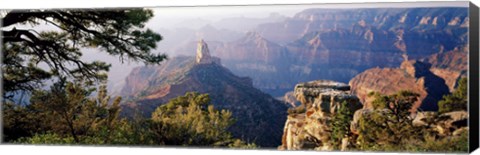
(423, 50)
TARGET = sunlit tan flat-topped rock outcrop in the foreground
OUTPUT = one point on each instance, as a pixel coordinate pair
(311, 129)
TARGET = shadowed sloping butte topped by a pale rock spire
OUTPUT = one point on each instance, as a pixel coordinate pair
(259, 117)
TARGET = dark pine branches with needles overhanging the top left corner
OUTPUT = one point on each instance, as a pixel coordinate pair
(119, 32)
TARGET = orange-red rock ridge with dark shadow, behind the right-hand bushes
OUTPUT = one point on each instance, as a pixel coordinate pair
(432, 77)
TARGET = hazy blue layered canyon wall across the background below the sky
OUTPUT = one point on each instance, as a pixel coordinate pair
(338, 44)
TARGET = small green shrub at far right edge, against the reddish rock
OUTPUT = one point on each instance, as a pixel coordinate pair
(458, 100)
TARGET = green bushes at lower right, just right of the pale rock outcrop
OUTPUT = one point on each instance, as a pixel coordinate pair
(389, 128)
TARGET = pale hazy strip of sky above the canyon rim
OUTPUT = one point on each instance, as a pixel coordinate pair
(169, 16)
